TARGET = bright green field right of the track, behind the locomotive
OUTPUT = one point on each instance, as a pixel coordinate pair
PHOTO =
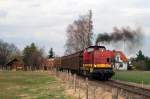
(133, 76)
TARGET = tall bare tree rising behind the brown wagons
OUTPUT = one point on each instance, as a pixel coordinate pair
(79, 34)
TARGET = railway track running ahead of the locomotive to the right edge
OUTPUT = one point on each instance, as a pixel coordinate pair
(130, 88)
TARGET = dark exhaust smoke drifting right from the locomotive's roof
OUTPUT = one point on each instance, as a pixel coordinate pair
(131, 38)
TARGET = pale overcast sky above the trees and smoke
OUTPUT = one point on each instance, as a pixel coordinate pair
(45, 21)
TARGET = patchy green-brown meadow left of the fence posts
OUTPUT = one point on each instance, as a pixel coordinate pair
(30, 85)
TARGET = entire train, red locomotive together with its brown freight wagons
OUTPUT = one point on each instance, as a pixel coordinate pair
(94, 62)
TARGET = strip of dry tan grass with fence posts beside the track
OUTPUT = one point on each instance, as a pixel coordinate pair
(83, 89)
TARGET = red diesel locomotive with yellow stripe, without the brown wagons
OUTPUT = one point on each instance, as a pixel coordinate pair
(98, 62)
